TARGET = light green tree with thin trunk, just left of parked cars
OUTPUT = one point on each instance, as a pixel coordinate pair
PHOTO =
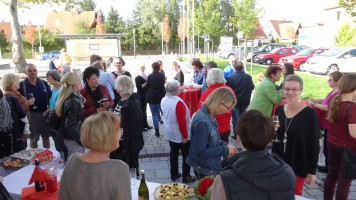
(246, 17)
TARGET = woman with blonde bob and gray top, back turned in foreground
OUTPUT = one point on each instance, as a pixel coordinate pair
(94, 175)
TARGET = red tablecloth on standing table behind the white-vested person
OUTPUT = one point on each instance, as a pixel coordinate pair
(191, 97)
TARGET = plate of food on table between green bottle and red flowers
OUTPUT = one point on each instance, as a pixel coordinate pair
(173, 191)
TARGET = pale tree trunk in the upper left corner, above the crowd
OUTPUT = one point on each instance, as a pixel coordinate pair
(17, 49)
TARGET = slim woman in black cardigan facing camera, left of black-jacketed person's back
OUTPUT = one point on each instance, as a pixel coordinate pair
(141, 85)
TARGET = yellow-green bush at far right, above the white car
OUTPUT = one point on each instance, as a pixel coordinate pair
(346, 35)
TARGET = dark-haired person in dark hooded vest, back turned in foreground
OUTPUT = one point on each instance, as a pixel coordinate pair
(254, 173)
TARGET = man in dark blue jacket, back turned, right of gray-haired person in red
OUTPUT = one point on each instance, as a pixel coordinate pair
(242, 85)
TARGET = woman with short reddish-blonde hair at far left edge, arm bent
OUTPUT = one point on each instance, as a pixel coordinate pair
(10, 84)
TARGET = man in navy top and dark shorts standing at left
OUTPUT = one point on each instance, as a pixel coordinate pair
(33, 87)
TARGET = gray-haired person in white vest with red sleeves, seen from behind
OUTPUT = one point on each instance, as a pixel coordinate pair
(176, 117)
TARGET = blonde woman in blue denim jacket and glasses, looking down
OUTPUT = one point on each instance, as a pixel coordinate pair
(206, 148)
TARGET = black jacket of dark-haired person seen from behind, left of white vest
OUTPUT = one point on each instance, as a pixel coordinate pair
(155, 88)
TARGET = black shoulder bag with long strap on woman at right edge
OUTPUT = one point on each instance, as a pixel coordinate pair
(349, 156)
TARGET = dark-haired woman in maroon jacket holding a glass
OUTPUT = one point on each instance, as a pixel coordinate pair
(97, 96)
